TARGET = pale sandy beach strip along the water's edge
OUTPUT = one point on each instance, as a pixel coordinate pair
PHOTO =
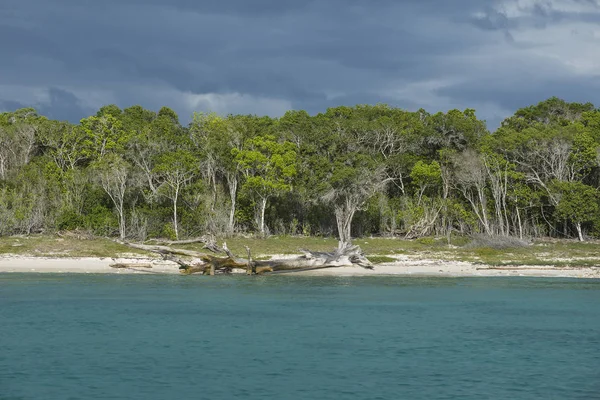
(401, 267)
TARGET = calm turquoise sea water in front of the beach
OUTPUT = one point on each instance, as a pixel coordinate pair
(285, 337)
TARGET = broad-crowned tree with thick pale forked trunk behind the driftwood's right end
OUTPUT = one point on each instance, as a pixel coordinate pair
(339, 172)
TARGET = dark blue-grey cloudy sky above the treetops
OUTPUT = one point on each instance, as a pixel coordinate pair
(67, 58)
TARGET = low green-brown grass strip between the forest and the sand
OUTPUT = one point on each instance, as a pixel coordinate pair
(560, 253)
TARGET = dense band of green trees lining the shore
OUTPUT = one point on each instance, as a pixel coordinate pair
(367, 170)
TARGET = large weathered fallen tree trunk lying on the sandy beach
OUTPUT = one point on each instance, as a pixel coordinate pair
(345, 255)
